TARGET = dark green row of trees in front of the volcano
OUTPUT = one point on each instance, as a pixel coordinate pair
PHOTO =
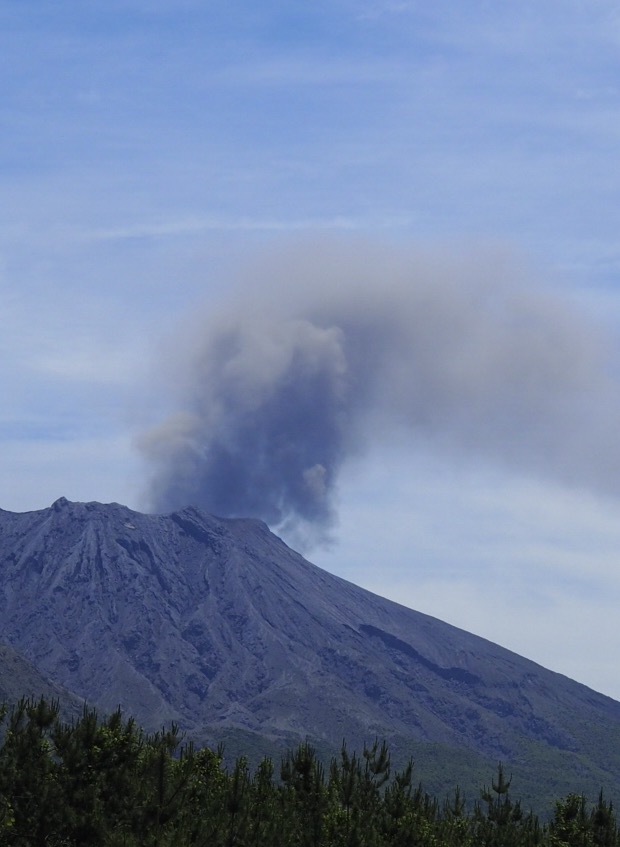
(103, 781)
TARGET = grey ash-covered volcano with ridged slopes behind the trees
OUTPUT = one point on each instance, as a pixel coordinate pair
(219, 626)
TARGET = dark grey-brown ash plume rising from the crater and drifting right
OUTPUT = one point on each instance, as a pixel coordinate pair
(333, 347)
